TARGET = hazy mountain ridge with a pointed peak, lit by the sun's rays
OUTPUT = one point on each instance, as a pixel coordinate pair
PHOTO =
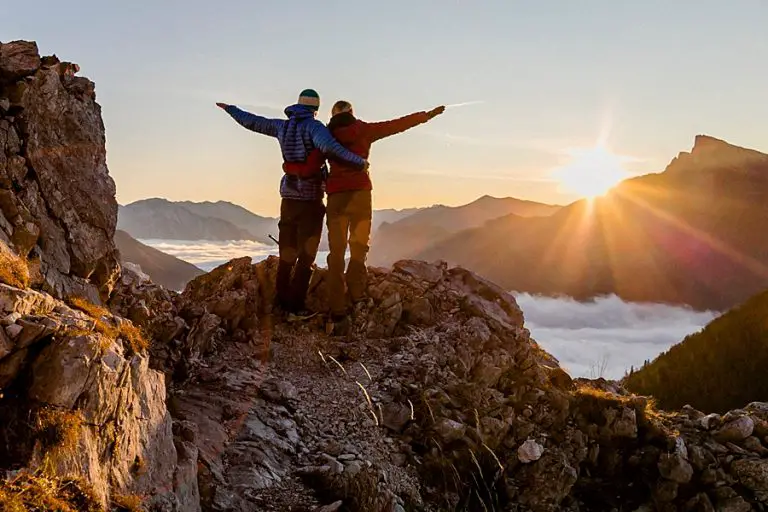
(673, 228)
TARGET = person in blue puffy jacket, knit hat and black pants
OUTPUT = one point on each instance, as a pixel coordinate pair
(304, 143)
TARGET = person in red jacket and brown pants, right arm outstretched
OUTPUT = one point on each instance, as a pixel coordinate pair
(349, 208)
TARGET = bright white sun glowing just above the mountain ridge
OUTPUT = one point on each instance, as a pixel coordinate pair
(592, 172)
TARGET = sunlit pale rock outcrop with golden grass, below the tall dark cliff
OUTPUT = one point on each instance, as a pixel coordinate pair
(77, 399)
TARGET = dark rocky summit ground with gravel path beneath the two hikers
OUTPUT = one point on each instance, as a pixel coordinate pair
(437, 400)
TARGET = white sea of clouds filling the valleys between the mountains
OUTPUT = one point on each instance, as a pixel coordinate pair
(600, 338)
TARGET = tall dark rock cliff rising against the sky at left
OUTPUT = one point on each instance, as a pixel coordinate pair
(57, 200)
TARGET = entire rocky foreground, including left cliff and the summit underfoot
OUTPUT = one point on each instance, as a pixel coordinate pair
(117, 394)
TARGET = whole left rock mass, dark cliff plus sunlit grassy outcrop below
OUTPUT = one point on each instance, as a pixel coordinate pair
(83, 419)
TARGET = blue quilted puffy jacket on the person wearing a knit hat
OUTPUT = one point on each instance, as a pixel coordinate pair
(298, 136)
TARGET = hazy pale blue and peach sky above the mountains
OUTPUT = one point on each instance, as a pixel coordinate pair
(552, 75)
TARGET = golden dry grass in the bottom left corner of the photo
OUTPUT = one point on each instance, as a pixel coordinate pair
(35, 491)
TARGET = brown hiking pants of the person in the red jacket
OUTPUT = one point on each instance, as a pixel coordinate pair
(349, 220)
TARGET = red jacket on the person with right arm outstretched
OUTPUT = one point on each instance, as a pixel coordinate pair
(357, 136)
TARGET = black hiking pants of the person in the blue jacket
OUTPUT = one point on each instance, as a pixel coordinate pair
(301, 226)
